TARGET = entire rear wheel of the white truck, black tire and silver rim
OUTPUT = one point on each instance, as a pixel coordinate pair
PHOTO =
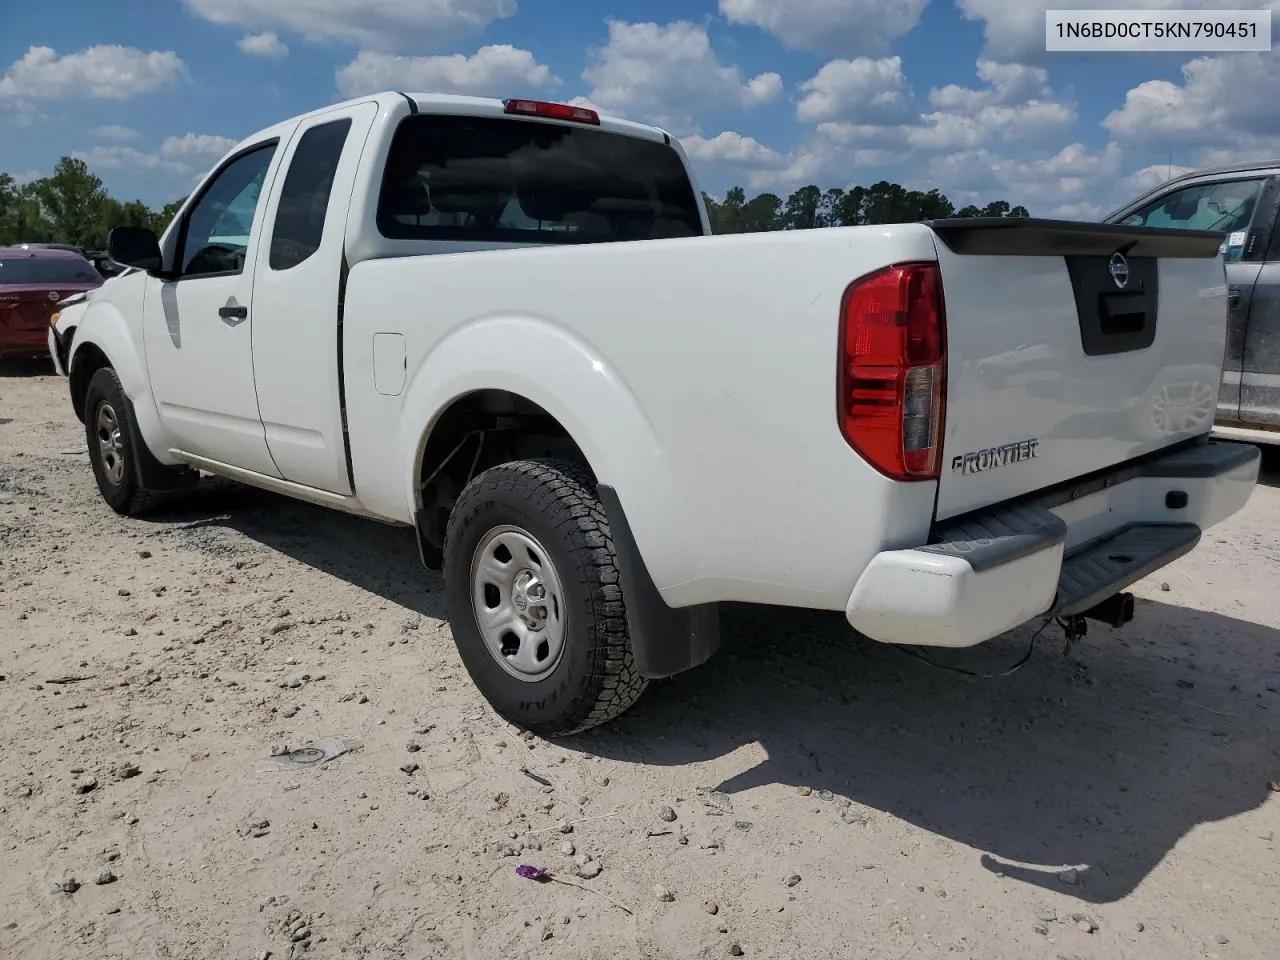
(536, 602)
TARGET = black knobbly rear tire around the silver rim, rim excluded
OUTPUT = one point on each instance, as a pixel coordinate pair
(595, 679)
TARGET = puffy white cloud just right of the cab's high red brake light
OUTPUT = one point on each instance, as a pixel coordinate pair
(669, 75)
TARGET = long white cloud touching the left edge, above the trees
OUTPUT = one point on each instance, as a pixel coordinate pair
(100, 72)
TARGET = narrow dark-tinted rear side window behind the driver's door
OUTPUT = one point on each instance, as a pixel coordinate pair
(305, 196)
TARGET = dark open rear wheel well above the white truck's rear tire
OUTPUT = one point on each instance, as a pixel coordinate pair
(477, 432)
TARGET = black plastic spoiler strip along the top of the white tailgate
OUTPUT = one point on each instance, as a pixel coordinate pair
(1021, 236)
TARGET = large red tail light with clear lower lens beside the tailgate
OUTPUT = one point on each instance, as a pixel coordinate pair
(893, 369)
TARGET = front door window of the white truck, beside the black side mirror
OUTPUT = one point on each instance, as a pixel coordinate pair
(216, 235)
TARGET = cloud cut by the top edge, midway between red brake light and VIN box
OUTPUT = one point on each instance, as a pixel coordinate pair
(845, 28)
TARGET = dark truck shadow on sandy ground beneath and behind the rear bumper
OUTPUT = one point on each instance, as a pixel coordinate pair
(1100, 764)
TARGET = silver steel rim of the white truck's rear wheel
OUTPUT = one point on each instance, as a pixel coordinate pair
(519, 604)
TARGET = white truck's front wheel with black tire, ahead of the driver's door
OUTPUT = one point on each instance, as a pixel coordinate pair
(117, 473)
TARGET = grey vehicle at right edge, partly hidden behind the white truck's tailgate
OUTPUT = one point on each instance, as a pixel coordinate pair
(1242, 202)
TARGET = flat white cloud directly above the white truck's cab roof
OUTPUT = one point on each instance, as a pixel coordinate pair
(492, 71)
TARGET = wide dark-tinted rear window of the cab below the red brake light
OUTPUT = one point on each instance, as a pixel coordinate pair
(514, 181)
